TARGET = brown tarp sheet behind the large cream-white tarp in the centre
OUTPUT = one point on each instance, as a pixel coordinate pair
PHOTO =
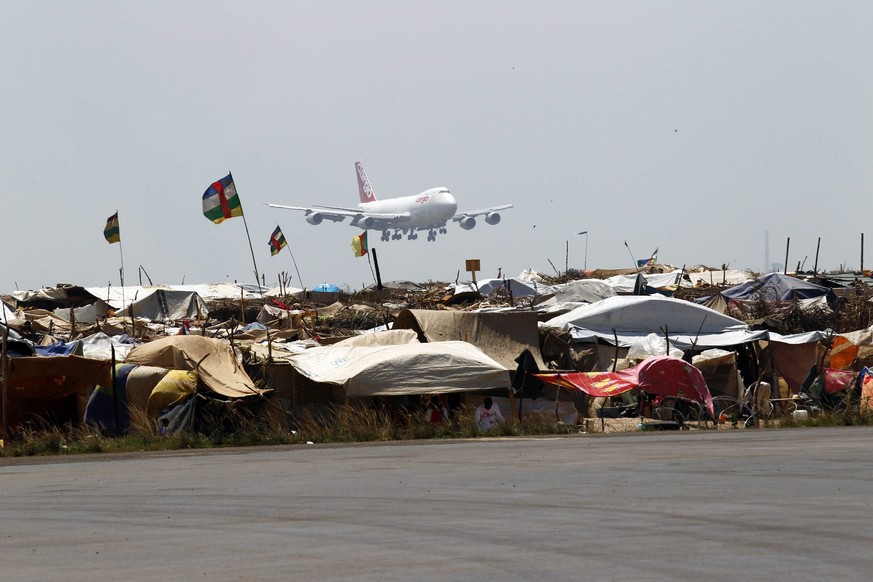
(501, 335)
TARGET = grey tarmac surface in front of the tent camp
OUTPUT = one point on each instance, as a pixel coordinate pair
(720, 505)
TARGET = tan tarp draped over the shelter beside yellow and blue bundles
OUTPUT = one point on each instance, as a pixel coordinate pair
(214, 361)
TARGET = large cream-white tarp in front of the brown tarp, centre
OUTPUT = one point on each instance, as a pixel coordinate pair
(415, 368)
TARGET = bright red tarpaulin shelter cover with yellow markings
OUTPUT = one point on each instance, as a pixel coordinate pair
(661, 375)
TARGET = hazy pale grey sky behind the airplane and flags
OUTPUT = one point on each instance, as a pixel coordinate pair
(694, 127)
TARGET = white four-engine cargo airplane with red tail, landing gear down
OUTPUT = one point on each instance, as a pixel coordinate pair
(408, 215)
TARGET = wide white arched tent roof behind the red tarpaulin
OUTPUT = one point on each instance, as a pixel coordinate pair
(632, 318)
